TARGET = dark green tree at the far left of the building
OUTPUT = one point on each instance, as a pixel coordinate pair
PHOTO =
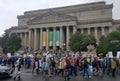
(11, 44)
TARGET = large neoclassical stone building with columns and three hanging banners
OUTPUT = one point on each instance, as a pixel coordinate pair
(52, 28)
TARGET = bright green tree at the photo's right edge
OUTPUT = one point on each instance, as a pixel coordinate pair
(111, 42)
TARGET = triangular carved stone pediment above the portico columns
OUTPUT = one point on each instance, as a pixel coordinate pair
(51, 17)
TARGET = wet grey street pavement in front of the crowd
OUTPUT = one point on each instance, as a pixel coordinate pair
(28, 76)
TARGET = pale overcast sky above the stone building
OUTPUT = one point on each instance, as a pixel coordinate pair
(9, 9)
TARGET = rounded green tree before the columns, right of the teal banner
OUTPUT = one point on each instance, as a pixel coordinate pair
(79, 42)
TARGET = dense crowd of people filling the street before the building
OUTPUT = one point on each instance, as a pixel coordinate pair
(66, 64)
